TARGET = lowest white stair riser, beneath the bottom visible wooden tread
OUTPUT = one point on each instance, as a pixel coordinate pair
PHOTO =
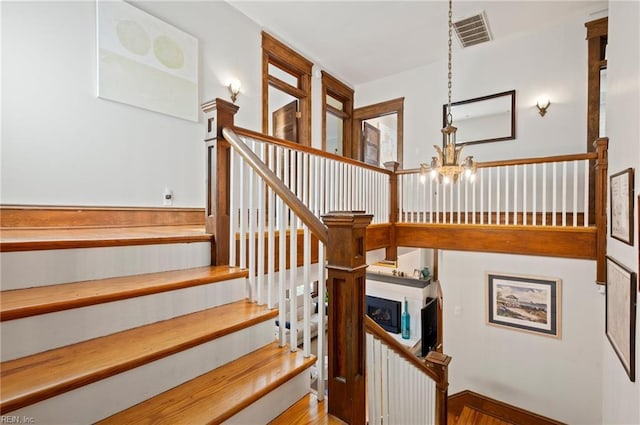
(270, 406)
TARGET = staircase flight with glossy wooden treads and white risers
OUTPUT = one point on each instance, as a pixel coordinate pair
(133, 325)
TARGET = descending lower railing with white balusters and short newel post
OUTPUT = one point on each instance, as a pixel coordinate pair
(401, 388)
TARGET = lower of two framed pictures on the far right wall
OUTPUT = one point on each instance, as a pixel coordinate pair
(620, 325)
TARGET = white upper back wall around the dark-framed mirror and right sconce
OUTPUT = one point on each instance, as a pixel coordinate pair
(552, 61)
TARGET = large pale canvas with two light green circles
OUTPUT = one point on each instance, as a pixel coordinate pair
(145, 62)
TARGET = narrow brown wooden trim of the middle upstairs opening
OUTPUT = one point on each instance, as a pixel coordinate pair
(335, 88)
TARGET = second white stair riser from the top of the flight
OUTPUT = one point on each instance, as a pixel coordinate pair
(30, 335)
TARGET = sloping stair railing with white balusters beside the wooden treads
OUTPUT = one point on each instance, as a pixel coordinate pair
(263, 203)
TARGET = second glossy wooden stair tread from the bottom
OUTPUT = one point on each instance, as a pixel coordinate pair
(43, 375)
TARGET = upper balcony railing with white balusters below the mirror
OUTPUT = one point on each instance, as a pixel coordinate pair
(549, 191)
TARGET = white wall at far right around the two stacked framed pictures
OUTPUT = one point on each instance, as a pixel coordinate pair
(621, 397)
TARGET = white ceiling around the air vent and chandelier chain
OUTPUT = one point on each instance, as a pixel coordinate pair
(361, 41)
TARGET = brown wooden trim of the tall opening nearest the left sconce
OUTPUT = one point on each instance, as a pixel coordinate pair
(276, 53)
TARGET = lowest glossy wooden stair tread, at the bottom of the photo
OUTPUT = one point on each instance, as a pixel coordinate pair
(221, 393)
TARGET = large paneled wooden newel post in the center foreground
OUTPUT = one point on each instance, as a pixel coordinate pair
(346, 265)
